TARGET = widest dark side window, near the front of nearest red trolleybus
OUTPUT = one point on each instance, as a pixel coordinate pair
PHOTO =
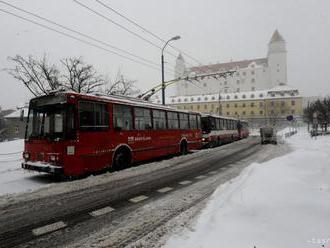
(93, 116)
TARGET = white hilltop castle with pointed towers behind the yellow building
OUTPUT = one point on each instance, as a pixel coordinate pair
(251, 75)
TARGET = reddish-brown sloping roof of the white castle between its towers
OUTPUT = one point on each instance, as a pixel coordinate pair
(228, 66)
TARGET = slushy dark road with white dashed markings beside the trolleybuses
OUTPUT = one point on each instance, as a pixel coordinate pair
(127, 207)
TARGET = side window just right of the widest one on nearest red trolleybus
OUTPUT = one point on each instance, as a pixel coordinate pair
(122, 117)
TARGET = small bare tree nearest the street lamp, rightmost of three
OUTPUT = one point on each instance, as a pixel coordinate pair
(120, 86)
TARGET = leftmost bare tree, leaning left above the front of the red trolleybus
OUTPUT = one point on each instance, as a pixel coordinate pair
(38, 75)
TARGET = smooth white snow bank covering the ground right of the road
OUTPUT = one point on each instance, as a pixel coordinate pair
(284, 202)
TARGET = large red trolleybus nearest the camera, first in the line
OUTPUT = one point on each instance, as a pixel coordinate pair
(73, 134)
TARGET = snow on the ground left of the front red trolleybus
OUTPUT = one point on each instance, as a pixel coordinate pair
(12, 178)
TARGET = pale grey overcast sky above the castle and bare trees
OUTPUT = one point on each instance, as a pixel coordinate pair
(212, 31)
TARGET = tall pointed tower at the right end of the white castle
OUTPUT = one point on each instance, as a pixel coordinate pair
(277, 61)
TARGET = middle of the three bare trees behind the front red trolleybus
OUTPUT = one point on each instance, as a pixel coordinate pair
(81, 77)
